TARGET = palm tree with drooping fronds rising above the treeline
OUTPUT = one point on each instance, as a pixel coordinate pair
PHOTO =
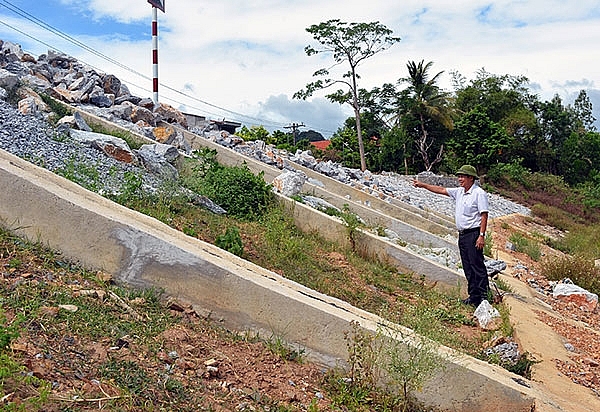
(429, 102)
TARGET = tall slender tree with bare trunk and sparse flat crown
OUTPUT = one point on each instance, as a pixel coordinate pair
(350, 43)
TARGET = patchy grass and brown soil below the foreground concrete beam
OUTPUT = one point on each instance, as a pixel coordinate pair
(136, 371)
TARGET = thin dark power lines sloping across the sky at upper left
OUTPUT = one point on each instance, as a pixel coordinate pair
(26, 15)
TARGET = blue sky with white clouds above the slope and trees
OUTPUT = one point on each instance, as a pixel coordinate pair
(243, 60)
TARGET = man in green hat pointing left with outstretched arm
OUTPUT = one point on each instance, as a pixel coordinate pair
(471, 217)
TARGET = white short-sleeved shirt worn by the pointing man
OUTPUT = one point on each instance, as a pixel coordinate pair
(469, 205)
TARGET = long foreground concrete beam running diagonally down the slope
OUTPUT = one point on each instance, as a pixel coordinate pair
(143, 252)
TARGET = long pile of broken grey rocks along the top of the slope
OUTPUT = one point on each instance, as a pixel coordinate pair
(104, 95)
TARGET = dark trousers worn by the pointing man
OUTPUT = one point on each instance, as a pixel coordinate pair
(474, 266)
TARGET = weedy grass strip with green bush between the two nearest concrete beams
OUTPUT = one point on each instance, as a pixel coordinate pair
(269, 238)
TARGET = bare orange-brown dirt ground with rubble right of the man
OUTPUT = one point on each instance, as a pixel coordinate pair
(562, 337)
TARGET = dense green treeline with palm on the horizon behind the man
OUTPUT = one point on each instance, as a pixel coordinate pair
(491, 121)
